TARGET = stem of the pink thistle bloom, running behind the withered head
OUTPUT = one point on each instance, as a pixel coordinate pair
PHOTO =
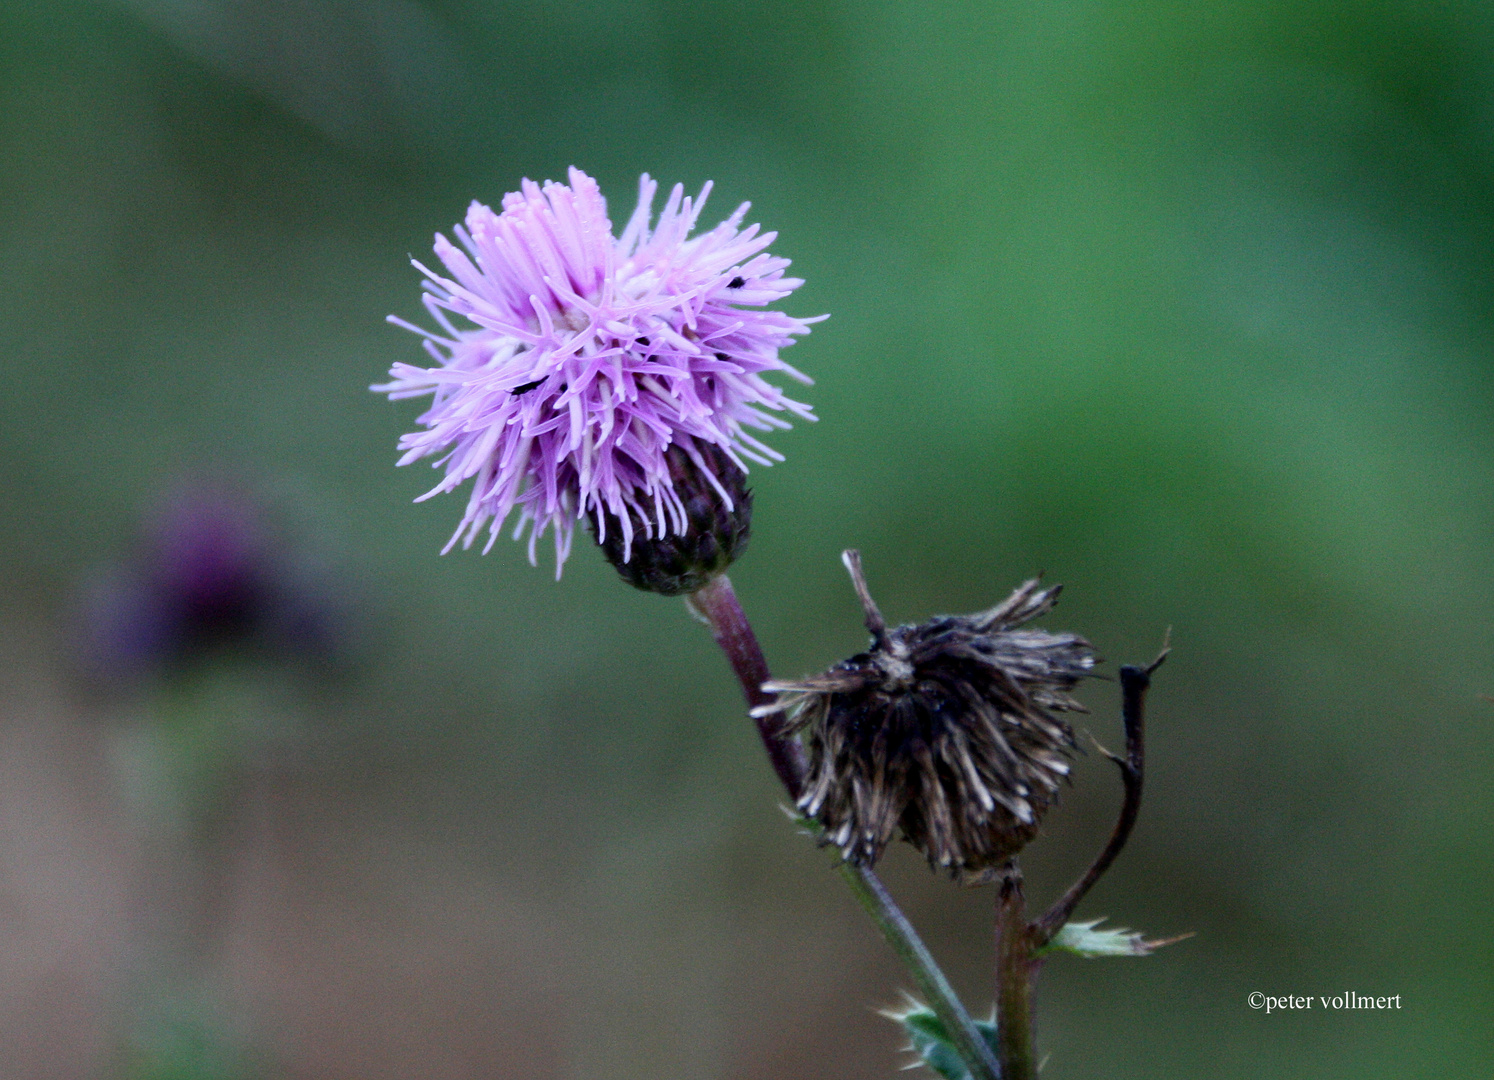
(719, 607)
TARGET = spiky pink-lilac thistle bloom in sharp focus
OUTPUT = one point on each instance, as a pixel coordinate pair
(592, 356)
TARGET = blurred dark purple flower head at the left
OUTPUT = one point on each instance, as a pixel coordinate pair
(208, 577)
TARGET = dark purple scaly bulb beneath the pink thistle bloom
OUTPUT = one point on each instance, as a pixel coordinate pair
(684, 549)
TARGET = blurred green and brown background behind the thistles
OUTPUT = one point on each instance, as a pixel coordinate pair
(1184, 305)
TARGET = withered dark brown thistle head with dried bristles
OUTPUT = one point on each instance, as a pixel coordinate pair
(946, 731)
